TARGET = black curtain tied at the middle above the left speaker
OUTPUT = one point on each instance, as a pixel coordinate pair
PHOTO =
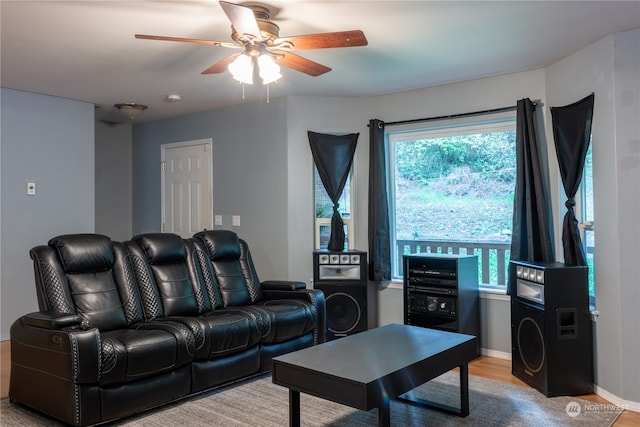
(333, 156)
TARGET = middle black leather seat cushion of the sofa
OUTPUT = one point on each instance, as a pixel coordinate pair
(223, 332)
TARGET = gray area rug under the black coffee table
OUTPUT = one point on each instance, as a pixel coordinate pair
(258, 402)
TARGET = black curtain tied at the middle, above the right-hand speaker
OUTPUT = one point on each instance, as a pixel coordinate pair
(572, 134)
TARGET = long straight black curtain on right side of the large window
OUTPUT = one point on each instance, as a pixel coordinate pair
(531, 238)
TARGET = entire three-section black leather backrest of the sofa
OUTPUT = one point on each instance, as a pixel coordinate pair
(155, 275)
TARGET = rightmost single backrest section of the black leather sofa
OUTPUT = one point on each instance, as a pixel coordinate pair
(232, 267)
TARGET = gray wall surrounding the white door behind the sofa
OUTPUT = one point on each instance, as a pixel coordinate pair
(249, 174)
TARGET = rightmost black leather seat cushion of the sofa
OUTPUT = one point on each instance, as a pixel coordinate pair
(282, 319)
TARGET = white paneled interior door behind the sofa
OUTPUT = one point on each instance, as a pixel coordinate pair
(187, 198)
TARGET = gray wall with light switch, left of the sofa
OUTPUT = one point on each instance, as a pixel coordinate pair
(48, 141)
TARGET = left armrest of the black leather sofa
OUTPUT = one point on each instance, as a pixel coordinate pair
(68, 352)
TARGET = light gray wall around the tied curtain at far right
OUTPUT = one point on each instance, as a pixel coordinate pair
(611, 69)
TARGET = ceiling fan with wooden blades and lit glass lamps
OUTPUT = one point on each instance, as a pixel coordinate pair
(259, 38)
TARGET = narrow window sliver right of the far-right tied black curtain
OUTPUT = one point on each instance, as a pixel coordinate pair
(586, 219)
